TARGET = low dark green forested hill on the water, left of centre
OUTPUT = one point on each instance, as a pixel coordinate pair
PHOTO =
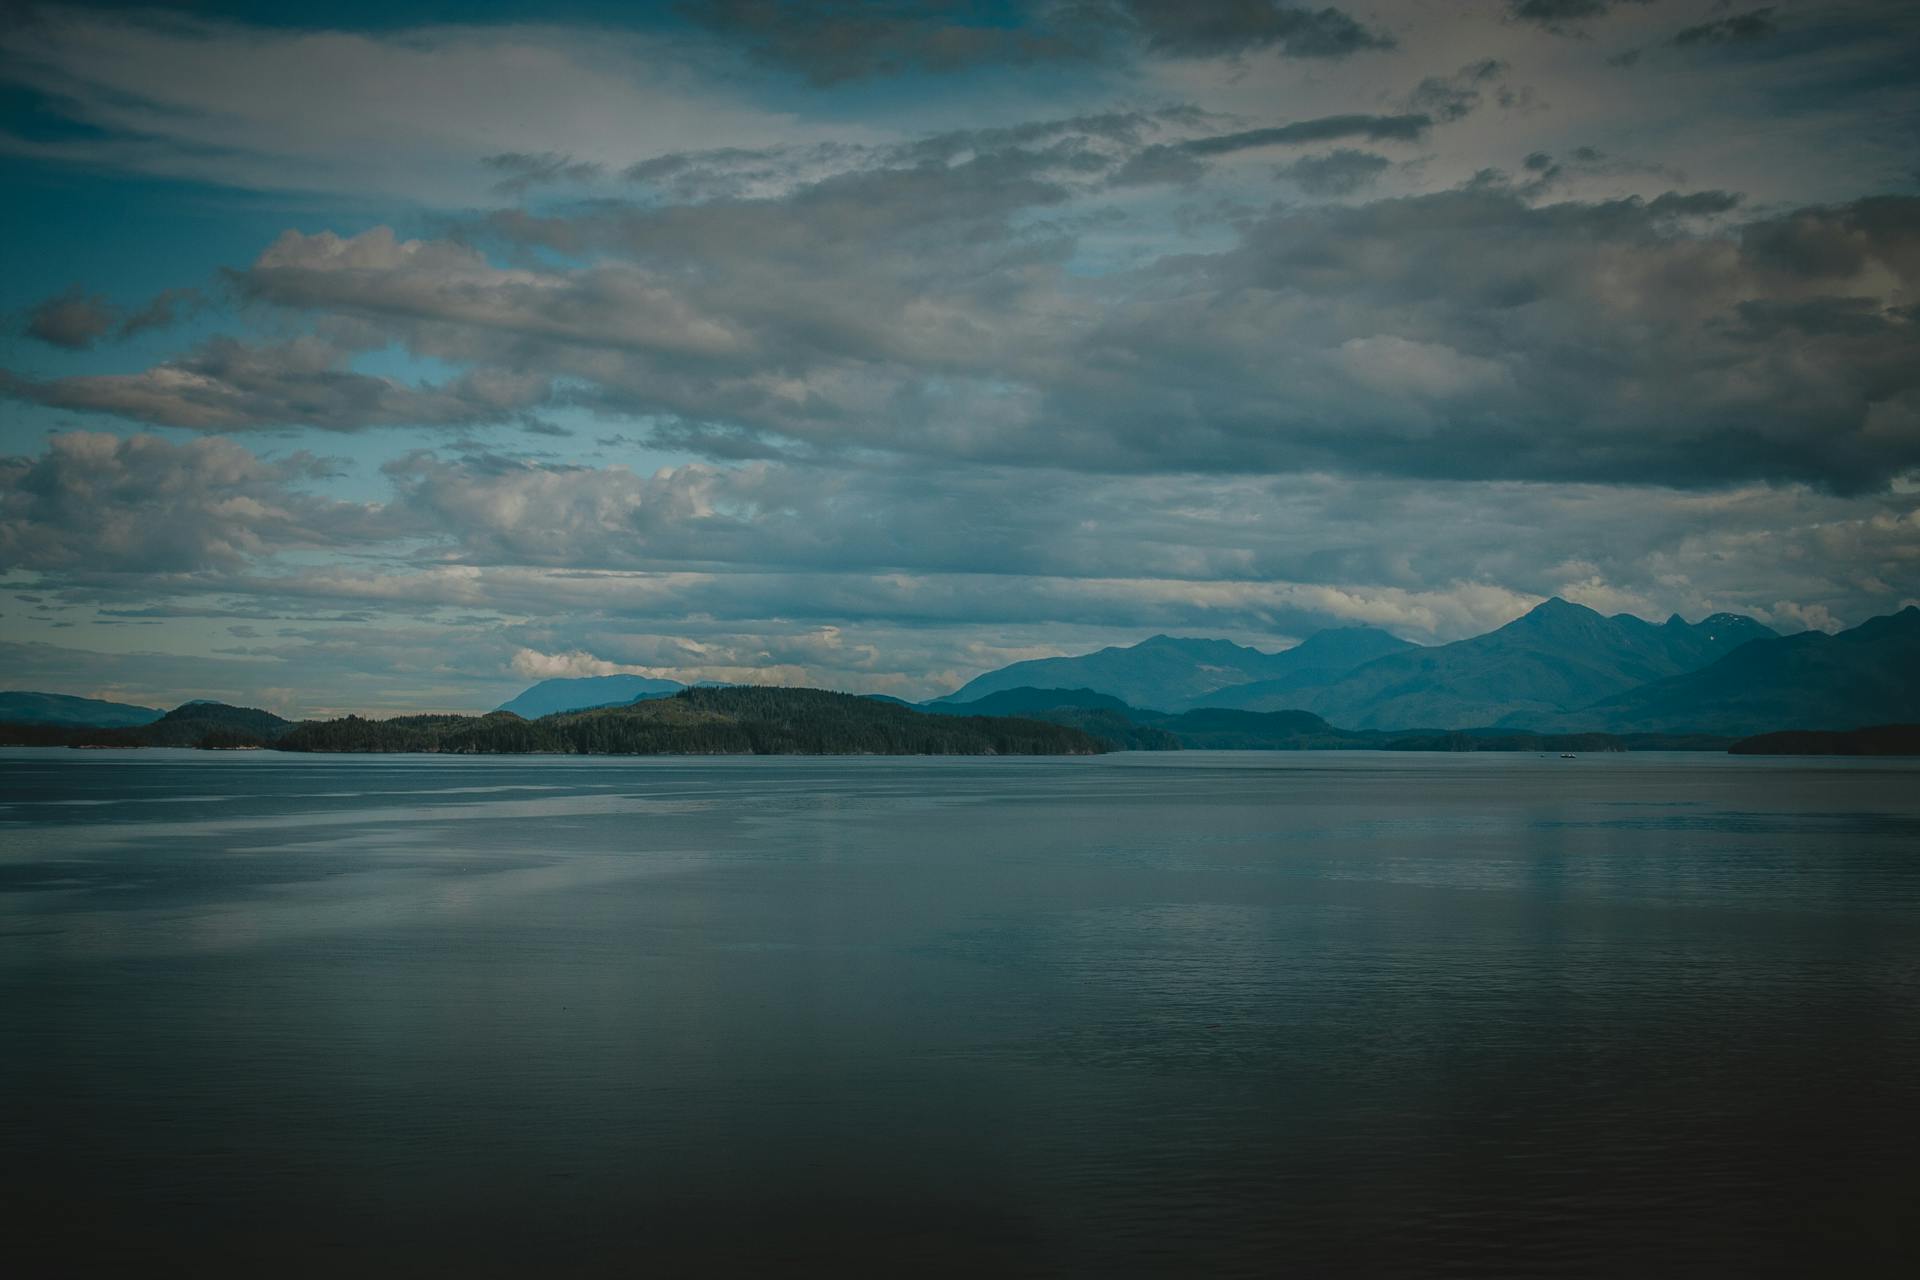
(738, 721)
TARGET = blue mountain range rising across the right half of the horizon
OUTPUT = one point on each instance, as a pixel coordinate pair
(1560, 669)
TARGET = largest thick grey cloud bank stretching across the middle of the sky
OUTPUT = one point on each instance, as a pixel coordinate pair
(930, 310)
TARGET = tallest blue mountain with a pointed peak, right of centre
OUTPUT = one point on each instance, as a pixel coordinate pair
(1527, 675)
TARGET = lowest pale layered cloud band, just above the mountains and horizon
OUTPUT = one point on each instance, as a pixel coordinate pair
(898, 579)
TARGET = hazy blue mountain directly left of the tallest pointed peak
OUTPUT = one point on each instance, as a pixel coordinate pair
(1172, 675)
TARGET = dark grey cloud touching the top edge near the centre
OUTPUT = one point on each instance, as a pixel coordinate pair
(836, 41)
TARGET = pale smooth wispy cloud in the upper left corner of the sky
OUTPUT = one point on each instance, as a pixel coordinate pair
(408, 112)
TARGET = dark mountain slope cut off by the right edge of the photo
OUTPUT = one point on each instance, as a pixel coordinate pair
(1798, 682)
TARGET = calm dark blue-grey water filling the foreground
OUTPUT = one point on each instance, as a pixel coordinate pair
(1232, 1014)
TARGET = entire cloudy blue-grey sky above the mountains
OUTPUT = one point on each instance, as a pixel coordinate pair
(393, 358)
